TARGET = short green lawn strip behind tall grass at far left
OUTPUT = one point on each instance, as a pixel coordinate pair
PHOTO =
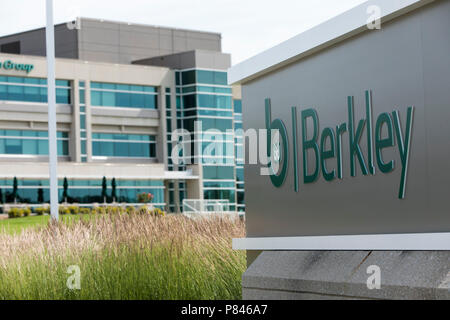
(16, 225)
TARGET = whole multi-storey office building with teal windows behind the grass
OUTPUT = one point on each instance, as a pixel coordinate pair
(116, 116)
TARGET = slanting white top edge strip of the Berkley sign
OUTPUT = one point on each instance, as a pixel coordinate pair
(337, 29)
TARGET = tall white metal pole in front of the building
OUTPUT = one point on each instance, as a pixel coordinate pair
(51, 94)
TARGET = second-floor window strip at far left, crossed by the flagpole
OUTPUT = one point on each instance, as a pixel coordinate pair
(29, 142)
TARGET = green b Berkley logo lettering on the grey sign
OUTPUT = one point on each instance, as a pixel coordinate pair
(323, 150)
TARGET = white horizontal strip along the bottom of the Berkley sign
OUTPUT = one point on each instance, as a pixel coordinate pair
(406, 241)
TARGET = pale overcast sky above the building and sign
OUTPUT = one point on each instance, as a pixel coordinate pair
(247, 26)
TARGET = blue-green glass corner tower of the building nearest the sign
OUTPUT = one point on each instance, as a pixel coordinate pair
(204, 97)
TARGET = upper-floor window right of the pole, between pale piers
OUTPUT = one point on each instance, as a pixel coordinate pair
(123, 95)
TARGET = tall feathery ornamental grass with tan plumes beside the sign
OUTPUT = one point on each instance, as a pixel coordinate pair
(124, 257)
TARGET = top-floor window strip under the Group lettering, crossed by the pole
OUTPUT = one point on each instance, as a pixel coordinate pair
(32, 90)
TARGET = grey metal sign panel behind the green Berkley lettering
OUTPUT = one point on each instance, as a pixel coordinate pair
(406, 63)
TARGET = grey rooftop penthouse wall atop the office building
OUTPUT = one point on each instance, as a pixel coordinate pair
(114, 42)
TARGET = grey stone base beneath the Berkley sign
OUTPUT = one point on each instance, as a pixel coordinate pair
(277, 275)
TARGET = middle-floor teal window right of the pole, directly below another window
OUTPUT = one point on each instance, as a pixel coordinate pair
(123, 145)
